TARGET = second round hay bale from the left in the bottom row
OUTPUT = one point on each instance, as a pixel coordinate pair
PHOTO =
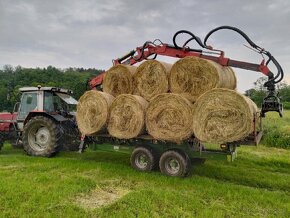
(127, 115)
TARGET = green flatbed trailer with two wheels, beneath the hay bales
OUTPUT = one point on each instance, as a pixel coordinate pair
(172, 158)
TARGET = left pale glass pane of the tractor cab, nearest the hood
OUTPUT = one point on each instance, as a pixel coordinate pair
(28, 103)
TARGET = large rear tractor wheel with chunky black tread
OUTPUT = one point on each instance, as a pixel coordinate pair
(42, 136)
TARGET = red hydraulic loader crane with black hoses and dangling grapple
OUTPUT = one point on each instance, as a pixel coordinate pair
(151, 49)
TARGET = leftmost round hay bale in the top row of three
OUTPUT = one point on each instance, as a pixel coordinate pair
(119, 80)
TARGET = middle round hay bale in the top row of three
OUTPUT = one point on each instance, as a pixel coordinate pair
(151, 79)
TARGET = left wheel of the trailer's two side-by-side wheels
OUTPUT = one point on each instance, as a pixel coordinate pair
(143, 159)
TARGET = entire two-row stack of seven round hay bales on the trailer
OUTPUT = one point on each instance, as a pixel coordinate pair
(172, 102)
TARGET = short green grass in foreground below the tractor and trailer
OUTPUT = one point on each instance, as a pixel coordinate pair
(257, 184)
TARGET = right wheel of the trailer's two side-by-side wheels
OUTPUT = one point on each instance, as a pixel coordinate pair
(173, 163)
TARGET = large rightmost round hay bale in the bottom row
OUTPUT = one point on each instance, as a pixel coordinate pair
(223, 115)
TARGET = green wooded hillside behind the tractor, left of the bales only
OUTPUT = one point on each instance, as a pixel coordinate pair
(13, 78)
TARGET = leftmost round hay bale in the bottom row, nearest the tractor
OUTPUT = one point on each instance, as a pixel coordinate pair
(93, 111)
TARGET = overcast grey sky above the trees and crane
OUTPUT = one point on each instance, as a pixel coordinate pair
(90, 33)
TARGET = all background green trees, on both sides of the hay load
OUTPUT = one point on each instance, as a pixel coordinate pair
(76, 79)
